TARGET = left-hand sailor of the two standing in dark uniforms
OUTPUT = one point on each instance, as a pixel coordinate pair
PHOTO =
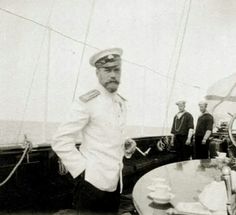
(182, 132)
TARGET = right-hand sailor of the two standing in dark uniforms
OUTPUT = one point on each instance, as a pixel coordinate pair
(203, 132)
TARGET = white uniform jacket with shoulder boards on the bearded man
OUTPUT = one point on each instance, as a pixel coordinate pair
(99, 117)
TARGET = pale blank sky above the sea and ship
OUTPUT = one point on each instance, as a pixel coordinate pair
(42, 53)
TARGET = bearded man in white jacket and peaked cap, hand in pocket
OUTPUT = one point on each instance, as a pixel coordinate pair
(99, 116)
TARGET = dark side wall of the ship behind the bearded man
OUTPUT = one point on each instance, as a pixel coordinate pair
(37, 185)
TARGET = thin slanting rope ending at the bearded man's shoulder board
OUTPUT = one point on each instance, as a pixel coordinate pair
(84, 46)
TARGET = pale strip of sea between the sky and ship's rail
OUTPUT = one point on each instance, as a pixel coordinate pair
(10, 132)
